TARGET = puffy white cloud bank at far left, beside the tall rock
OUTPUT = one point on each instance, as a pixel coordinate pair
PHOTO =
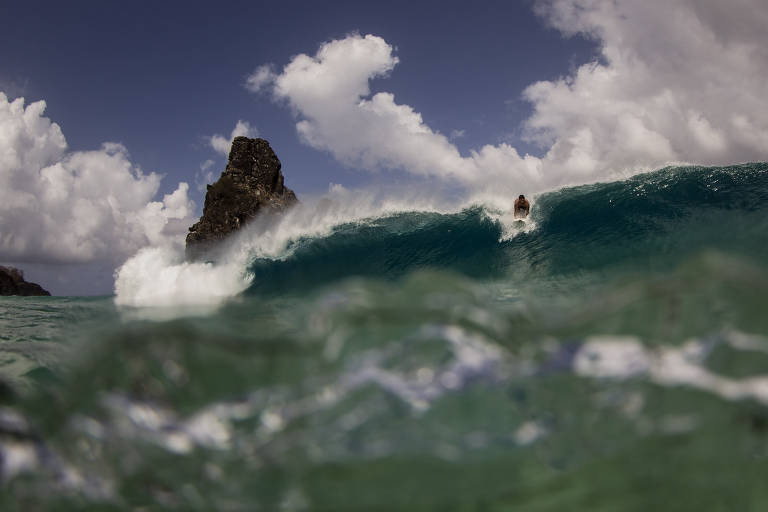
(58, 206)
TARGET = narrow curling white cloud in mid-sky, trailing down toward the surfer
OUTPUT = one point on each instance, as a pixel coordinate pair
(330, 94)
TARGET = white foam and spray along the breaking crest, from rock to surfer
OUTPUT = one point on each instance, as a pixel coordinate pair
(159, 276)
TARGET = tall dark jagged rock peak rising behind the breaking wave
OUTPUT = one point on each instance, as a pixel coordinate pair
(251, 184)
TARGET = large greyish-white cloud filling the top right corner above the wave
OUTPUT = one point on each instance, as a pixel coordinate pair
(679, 81)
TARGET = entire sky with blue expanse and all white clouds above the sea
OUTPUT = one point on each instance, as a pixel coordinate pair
(114, 117)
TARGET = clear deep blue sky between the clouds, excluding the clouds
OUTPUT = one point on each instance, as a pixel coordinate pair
(160, 76)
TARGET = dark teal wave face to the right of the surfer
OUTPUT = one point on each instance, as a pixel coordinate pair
(655, 219)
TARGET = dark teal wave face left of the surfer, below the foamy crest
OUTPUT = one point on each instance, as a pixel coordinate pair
(387, 247)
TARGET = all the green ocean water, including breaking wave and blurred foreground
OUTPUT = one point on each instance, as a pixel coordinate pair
(611, 353)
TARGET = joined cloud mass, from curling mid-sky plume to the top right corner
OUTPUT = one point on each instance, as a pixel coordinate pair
(682, 82)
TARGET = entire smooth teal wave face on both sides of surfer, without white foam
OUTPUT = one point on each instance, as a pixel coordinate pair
(648, 222)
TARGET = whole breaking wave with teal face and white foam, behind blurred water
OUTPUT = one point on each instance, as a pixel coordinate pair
(648, 222)
